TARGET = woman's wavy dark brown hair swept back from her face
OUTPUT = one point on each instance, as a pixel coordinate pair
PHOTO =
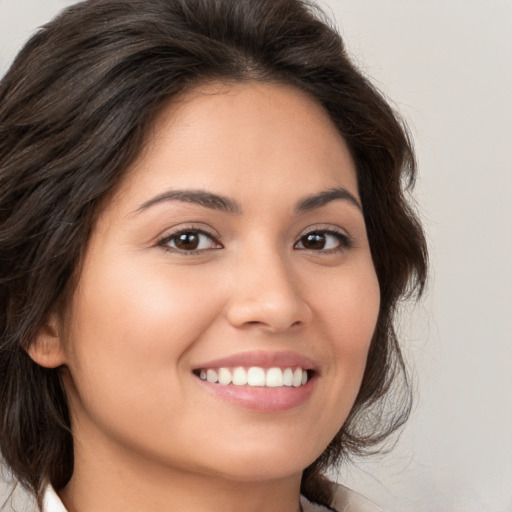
(75, 108)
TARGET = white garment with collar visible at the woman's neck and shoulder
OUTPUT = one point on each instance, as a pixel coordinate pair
(345, 500)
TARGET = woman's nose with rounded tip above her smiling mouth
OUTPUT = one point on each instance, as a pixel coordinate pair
(267, 295)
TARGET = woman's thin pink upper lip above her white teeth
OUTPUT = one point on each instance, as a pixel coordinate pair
(263, 359)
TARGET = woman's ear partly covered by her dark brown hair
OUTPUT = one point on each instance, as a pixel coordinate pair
(47, 348)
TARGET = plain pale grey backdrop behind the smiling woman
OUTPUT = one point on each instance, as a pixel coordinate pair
(447, 67)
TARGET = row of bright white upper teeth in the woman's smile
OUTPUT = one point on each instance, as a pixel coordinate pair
(256, 376)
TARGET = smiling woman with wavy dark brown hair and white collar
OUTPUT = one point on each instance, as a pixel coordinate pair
(204, 238)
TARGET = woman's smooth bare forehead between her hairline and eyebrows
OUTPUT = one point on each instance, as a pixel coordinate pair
(234, 136)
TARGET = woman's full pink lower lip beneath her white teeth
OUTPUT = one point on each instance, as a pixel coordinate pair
(262, 399)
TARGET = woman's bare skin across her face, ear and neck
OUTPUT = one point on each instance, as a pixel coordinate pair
(148, 435)
